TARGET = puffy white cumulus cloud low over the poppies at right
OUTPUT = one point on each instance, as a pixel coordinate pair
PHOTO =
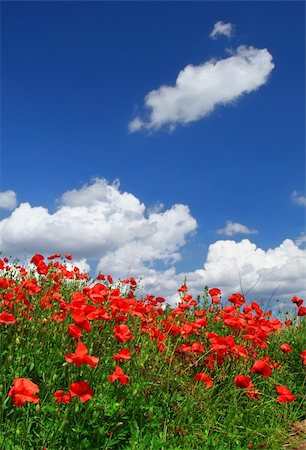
(241, 267)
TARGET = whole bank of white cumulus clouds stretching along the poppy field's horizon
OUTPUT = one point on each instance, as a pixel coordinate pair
(117, 234)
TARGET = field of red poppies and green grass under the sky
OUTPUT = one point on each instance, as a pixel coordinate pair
(87, 364)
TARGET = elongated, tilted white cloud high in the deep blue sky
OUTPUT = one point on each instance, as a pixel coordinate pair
(199, 89)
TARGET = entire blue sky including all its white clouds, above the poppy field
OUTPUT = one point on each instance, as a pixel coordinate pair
(213, 175)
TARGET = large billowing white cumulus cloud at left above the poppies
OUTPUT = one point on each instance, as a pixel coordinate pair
(97, 220)
